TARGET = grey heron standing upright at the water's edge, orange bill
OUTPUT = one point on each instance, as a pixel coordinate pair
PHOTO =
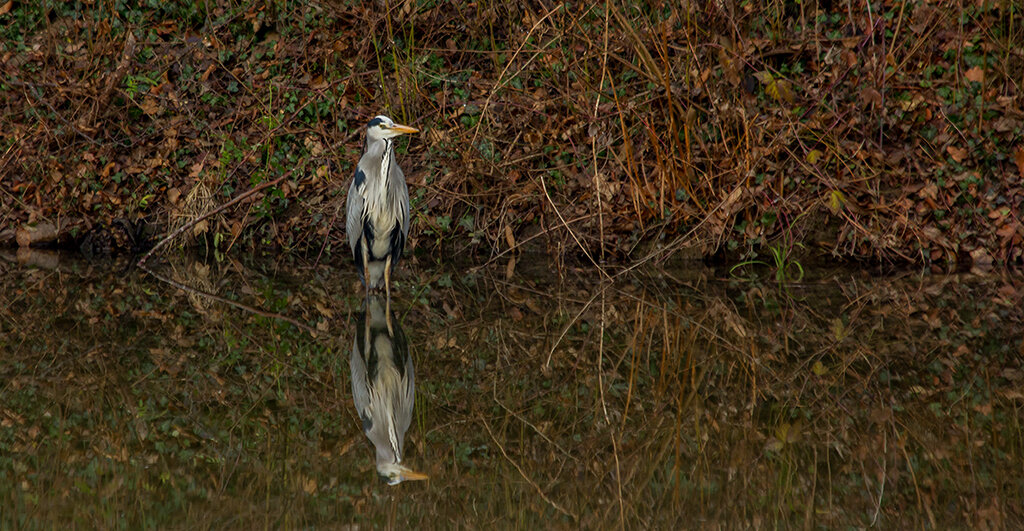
(377, 209)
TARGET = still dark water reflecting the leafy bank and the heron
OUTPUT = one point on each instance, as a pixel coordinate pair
(679, 400)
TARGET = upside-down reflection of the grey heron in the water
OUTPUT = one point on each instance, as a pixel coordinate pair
(383, 388)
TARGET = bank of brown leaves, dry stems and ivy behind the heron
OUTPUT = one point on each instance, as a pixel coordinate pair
(883, 131)
